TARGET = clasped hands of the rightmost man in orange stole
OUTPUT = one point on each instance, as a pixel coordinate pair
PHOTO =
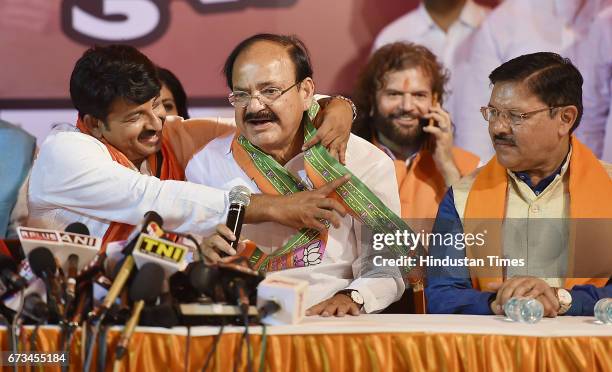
(525, 286)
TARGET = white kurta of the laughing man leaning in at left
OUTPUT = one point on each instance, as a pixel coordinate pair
(74, 179)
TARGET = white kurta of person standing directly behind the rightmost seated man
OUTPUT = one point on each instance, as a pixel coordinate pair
(512, 29)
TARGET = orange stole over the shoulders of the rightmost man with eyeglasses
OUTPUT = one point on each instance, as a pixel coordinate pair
(590, 190)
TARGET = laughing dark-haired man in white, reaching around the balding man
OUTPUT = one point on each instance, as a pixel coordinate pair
(128, 158)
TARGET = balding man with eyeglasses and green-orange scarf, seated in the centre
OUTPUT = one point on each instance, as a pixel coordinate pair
(271, 81)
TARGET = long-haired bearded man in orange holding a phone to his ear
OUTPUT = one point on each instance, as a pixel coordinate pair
(399, 95)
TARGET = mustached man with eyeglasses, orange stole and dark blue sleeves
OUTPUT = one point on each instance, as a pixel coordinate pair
(542, 205)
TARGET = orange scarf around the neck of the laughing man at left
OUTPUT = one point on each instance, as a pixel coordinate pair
(170, 170)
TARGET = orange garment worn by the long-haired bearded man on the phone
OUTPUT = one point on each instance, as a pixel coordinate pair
(421, 185)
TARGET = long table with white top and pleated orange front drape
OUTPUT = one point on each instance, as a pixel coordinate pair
(373, 342)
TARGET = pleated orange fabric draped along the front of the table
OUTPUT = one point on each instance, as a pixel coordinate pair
(353, 352)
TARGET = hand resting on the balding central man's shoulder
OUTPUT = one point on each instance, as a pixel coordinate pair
(336, 120)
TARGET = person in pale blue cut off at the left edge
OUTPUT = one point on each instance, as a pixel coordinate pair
(18, 150)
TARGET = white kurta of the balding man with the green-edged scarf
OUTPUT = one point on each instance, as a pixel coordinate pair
(215, 166)
